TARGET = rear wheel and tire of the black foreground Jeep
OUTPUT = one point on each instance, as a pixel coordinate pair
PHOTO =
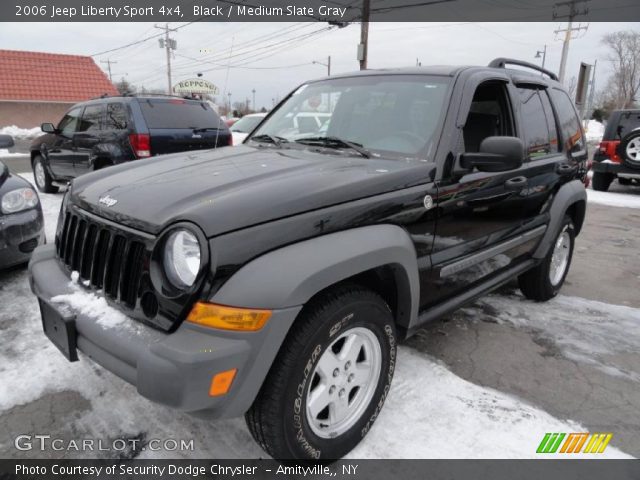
(543, 282)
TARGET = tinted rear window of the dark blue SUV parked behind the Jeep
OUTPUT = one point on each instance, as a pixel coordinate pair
(177, 113)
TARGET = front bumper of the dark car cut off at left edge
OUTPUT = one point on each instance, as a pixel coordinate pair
(20, 233)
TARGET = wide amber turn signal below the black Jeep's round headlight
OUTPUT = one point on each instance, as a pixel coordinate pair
(228, 318)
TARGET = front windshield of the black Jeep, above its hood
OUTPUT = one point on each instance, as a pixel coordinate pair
(395, 115)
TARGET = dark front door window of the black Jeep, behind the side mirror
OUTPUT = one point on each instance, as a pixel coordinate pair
(489, 116)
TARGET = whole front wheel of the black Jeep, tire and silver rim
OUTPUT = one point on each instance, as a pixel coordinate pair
(280, 419)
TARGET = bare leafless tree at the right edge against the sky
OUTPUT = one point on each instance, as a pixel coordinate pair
(624, 54)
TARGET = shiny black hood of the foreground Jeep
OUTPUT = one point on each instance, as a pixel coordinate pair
(232, 188)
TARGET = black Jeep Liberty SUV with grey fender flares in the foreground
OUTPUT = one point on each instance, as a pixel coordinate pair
(275, 279)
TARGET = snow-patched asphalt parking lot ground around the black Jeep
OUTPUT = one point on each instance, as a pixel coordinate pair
(502, 371)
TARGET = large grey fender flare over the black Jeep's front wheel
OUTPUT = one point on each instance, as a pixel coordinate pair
(291, 275)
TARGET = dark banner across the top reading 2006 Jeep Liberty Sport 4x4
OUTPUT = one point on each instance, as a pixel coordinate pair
(318, 10)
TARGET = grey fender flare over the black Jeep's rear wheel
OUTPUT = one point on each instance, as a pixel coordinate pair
(569, 194)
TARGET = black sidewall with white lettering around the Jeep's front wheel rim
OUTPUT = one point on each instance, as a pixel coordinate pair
(300, 438)
